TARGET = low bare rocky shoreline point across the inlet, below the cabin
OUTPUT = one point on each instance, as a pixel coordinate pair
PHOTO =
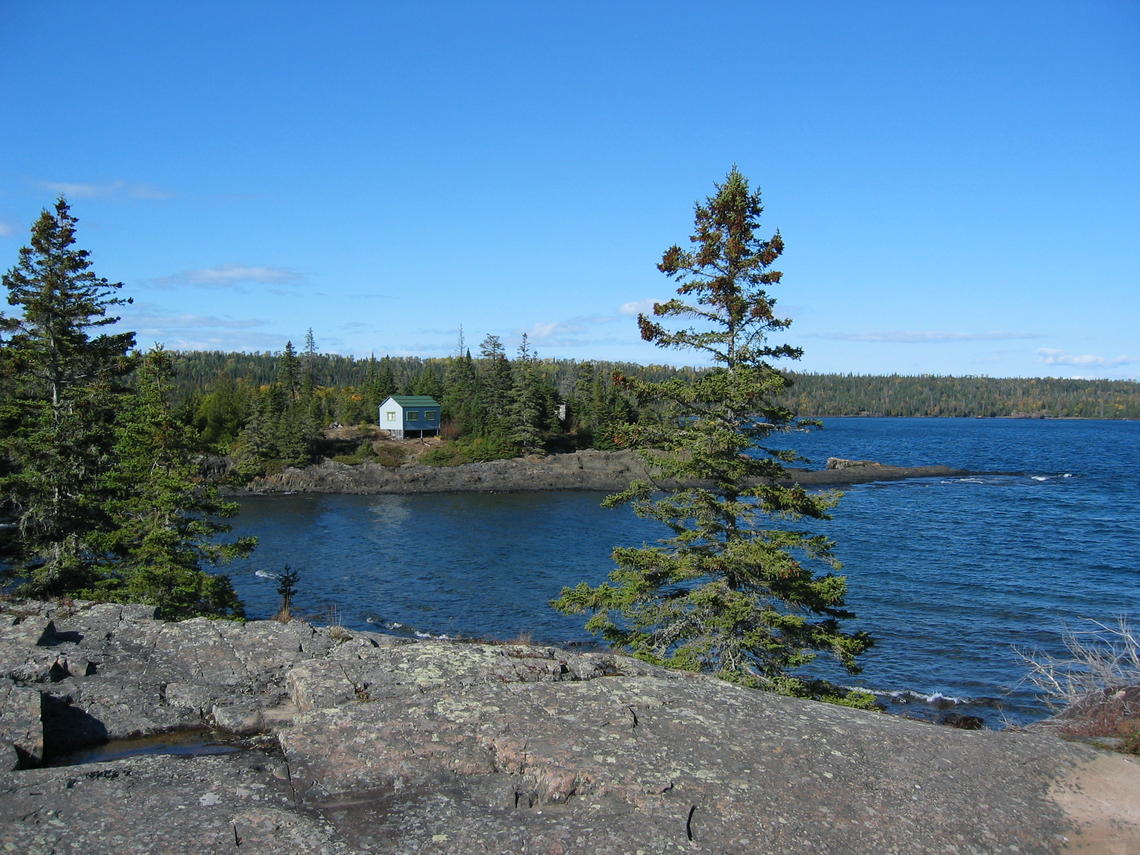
(591, 470)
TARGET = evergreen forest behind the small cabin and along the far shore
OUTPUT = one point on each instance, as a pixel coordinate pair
(221, 395)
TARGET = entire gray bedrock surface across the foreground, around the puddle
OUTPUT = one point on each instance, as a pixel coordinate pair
(360, 743)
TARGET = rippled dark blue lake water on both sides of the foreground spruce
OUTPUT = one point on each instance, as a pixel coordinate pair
(950, 575)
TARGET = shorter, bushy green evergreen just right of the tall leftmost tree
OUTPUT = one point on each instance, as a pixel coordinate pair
(166, 514)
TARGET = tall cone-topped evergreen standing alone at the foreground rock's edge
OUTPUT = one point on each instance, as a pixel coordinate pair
(728, 593)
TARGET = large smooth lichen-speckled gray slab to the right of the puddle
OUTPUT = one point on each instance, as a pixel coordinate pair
(648, 764)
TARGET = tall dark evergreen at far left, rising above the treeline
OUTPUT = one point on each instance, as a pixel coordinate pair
(66, 386)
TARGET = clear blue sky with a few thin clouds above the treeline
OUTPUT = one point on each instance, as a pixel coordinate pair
(957, 184)
